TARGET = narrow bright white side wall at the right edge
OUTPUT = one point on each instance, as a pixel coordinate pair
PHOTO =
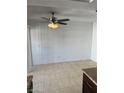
(94, 43)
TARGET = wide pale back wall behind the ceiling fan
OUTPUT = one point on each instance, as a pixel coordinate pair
(67, 43)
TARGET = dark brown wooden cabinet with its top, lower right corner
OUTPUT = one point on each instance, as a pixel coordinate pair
(89, 83)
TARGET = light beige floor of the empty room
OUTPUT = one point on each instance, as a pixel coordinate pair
(63, 77)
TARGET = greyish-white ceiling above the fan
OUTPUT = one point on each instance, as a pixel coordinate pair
(74, 10)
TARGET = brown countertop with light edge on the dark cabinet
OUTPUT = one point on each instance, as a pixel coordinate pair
(91, 73)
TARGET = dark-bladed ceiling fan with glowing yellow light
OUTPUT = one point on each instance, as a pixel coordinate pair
(54, 21)
